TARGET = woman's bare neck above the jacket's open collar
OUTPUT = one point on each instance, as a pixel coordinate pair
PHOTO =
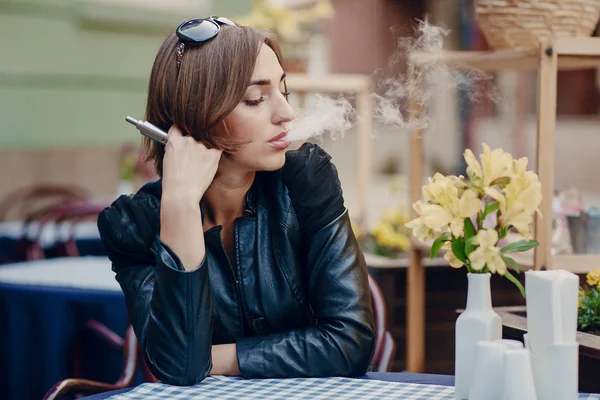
(225, 199)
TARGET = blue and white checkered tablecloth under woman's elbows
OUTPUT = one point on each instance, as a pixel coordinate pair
(299, 388)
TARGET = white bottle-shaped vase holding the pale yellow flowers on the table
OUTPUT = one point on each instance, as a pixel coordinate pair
(478, 322)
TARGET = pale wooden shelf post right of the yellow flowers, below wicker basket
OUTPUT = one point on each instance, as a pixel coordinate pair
(547, 82)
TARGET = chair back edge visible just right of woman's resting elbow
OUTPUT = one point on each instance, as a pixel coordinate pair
(385, 346)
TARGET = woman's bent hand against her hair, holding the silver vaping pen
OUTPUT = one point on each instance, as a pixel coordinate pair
(189, 167)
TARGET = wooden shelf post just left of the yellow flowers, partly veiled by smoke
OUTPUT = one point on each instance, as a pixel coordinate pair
(415, 282)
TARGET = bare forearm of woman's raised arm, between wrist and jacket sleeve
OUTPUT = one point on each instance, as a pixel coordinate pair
(181, 229)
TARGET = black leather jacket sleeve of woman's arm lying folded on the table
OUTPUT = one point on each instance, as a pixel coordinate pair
(341, 342)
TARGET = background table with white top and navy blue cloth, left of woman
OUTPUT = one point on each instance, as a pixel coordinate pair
(43, 305)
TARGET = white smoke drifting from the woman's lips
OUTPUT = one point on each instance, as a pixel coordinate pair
(335, 116)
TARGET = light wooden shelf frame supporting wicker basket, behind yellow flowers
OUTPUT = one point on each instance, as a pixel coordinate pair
(552, 55)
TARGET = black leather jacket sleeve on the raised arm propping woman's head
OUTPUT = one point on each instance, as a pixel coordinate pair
(170, 309)
